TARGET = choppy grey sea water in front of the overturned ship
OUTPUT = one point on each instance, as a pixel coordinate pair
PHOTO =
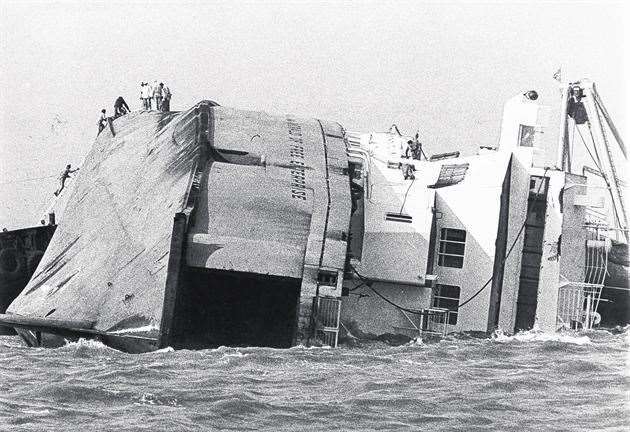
(573, 382)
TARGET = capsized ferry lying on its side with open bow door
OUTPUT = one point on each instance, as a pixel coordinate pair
(217, 226)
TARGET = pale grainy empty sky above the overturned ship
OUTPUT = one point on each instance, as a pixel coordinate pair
(444, 69)
